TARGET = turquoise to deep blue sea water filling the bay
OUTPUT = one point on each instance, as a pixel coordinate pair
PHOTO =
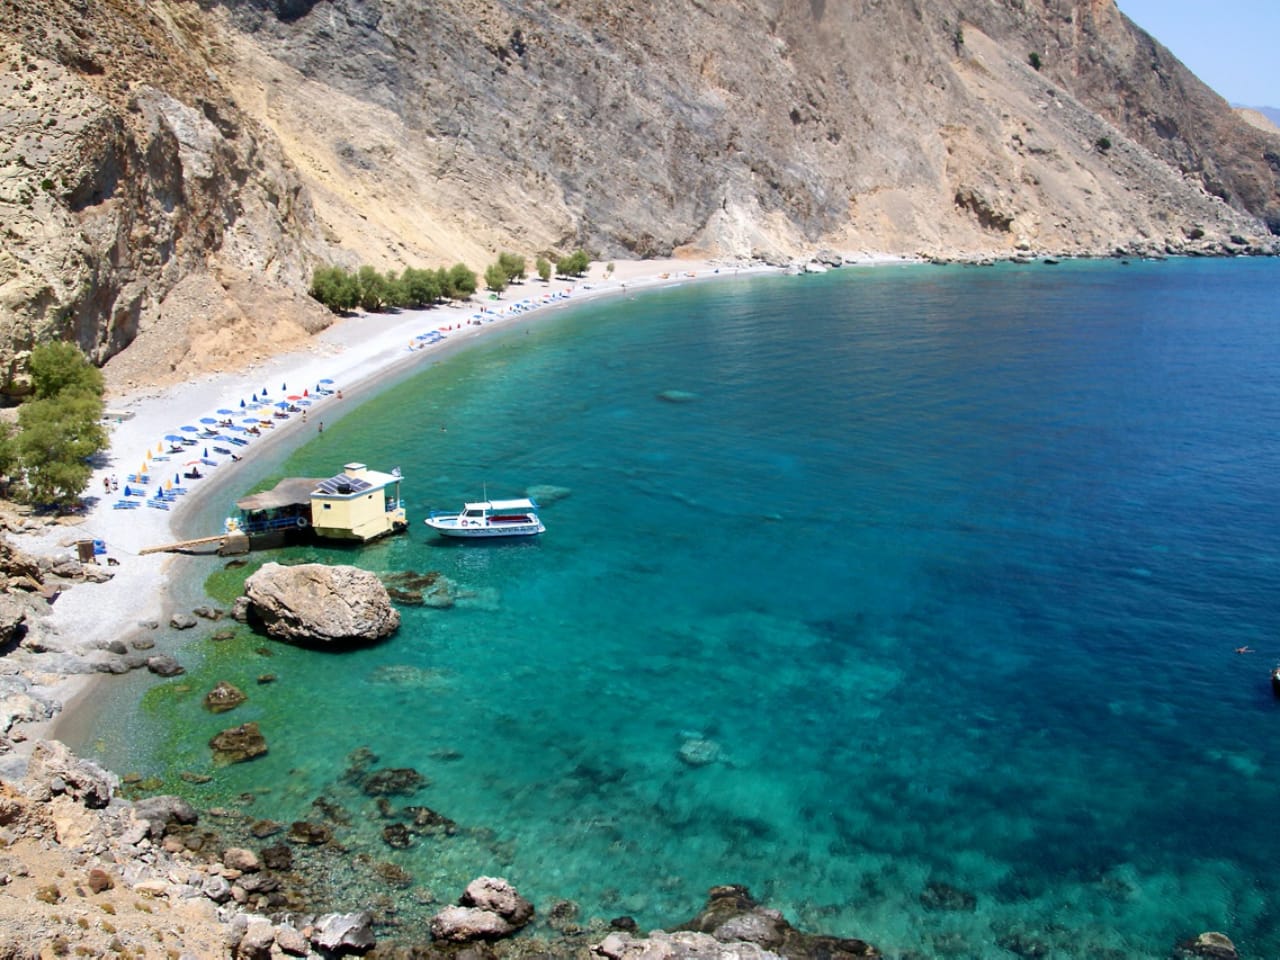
(913, 598)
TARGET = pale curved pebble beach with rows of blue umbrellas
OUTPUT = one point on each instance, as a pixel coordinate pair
(355, 354)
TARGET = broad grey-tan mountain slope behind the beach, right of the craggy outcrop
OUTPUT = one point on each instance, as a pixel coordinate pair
(756, 127)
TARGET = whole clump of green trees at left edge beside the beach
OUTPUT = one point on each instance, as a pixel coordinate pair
(47, 456)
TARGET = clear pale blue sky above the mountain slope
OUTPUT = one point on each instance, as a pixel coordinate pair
(1228, 44)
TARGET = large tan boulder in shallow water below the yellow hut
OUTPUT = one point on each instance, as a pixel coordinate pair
(321, 605)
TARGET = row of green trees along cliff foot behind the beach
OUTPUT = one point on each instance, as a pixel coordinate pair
(415, 289)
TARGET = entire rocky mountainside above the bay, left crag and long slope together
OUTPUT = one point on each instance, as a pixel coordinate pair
(172, 172)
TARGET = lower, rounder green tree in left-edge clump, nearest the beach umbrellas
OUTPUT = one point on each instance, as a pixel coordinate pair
(60, 436)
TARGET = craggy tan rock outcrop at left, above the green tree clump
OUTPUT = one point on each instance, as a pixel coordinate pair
(127, 177)
